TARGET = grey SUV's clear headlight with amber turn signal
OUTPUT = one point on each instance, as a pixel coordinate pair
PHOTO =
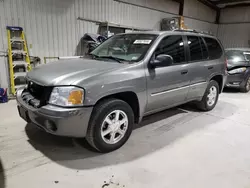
(67, 96)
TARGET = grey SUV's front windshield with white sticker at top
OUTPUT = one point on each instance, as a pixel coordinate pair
(127, 47)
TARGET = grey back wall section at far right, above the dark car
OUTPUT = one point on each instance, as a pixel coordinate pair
(235, 26)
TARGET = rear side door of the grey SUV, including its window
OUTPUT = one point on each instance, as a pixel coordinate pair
(198, 61)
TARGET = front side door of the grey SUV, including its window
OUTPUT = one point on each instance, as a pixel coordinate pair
(168, 86)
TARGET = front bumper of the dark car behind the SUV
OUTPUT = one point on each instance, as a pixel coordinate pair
(236, 80)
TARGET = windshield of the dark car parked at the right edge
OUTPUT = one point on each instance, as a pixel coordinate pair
(237, 56)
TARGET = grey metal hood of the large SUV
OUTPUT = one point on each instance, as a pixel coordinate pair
(68, 72)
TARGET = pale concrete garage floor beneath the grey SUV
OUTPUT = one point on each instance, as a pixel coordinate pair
(177, 148)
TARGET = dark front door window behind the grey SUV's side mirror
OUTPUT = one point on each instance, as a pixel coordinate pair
(173, 46)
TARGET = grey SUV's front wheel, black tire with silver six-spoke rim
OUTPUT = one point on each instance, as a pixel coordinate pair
(99, 126)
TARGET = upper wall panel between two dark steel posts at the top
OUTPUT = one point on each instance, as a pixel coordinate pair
(195, 9)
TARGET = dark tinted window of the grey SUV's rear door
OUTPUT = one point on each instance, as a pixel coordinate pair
(194, 48)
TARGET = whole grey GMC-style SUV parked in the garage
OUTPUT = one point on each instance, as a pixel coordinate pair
(129, 76)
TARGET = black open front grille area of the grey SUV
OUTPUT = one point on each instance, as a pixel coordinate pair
(36, 95)
